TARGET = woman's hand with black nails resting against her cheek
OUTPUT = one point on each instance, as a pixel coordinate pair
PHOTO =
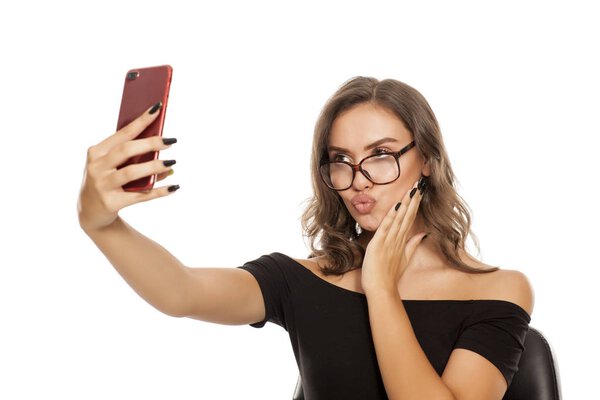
(390, 250)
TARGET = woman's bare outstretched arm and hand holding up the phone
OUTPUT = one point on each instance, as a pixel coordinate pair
(220, 295)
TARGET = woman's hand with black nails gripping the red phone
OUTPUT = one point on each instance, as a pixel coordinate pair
(102, 195)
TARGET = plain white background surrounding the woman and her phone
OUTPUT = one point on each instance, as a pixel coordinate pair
(515, 88)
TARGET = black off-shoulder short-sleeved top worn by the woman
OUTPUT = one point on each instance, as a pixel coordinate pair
(331, 337)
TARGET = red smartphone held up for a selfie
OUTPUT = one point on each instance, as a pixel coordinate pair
(143, 88)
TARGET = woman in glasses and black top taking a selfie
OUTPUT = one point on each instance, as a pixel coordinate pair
(390, 304)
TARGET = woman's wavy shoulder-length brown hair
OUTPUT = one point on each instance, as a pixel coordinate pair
(326, 221)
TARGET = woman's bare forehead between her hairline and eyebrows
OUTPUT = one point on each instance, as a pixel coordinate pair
(364, 124)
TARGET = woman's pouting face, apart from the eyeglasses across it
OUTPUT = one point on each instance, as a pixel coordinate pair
(364, 130)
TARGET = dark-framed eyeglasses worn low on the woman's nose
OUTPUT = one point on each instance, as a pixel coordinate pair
(380, 169)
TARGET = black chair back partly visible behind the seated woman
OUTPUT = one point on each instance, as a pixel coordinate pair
(537, 378)
